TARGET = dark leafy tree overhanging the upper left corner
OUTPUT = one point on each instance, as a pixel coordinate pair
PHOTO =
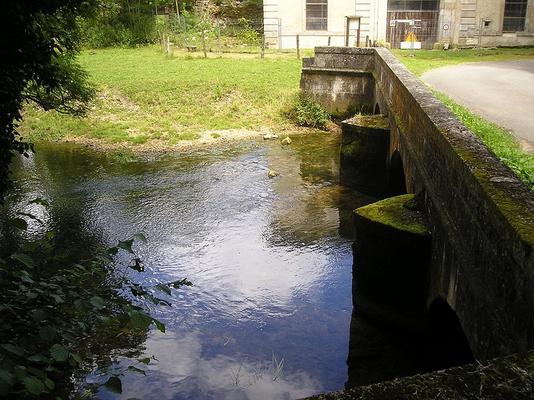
(37, 63)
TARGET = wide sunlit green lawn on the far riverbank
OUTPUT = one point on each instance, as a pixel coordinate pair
(145, 95)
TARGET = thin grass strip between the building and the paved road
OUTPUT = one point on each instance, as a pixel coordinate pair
(421, 61)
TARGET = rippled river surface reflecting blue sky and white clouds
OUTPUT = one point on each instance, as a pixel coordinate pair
(268, 315)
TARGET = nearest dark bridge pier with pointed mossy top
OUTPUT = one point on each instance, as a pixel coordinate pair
(392, 254)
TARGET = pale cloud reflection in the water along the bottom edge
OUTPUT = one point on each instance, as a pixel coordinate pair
(183, 368)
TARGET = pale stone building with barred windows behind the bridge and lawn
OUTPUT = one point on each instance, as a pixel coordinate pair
(398, 22)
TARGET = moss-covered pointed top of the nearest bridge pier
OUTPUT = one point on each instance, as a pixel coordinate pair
(392, 212)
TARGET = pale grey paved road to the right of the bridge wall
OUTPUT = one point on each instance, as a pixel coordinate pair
(501, 92)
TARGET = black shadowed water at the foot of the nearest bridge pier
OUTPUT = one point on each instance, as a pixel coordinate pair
(379, 352)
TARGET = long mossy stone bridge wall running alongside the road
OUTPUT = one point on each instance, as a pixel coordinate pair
(481, 216)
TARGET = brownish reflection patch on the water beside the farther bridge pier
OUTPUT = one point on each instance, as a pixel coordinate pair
(312, 205)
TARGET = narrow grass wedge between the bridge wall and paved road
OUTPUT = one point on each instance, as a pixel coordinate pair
(498, 140)
